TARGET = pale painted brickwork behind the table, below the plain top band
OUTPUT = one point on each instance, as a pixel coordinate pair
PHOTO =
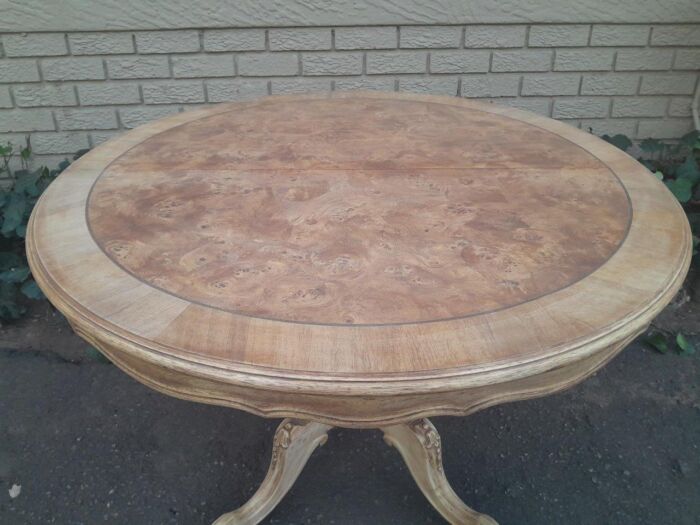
(77, 89)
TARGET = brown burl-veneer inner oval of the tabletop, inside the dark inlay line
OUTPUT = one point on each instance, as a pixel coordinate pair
(358, 211)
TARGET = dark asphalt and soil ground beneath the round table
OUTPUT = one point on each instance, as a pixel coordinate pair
(89, 445)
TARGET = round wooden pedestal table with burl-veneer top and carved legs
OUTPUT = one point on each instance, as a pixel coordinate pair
(358, 260)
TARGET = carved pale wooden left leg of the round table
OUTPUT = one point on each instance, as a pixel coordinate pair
(293, 444)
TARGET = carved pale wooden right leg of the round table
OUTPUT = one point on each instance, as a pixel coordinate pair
(419, 444)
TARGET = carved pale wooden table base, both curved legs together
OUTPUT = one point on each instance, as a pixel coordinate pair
(419, 445)
